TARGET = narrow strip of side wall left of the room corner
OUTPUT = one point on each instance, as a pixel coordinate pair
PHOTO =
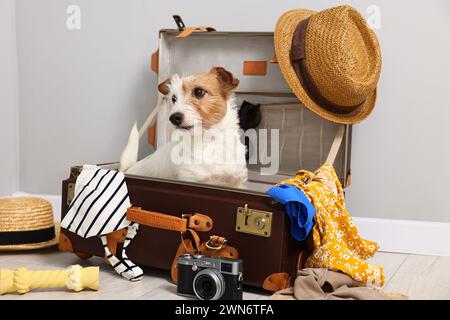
(9, 107)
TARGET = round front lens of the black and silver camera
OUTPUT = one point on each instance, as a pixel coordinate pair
(209, 284)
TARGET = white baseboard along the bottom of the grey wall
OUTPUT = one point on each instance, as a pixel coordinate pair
(402, 236)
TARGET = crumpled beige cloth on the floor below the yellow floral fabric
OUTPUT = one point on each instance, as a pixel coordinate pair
(323, 284)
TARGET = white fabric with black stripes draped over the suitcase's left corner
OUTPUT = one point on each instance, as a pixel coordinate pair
(98, 208)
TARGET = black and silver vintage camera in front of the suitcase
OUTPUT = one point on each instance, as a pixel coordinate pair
(209, 278)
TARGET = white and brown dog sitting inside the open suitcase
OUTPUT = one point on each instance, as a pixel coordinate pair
(202, 105)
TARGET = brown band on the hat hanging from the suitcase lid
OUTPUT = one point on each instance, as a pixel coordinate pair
(298, 60)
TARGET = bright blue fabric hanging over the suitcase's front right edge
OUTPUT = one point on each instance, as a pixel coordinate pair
(298, 207)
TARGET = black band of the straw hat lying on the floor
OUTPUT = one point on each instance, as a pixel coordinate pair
(26, 237)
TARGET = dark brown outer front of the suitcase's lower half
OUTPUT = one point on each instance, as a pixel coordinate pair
(262, 255)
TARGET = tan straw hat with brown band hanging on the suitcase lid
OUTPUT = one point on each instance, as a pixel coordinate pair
(331, 60)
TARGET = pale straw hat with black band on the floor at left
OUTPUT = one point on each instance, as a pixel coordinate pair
(26, 223)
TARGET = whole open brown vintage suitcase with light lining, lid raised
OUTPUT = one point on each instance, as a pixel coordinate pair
(265, 245)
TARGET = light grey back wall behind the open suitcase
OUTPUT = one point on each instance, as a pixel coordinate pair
(80, 91)
